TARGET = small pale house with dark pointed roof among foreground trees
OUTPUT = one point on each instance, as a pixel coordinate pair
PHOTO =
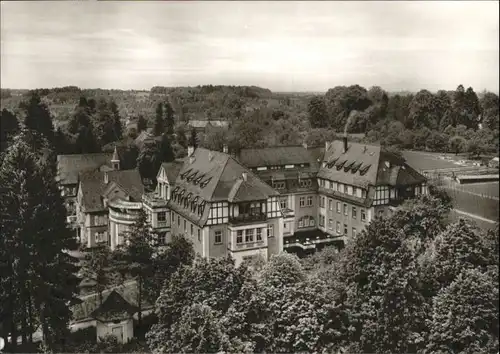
(115, 317)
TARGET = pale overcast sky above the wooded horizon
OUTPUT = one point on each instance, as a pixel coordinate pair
(284, 46)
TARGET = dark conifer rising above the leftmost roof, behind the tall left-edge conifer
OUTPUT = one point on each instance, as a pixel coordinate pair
(38, 119)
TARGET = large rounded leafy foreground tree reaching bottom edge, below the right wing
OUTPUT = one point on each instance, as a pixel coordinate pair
(378, 282)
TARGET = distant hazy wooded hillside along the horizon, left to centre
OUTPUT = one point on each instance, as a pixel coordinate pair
(200, 102)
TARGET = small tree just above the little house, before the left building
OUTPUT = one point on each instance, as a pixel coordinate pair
(96, 268)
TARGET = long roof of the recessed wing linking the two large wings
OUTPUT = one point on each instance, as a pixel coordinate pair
(280, 155)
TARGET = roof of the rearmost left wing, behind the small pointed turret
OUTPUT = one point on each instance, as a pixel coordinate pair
(69, 166)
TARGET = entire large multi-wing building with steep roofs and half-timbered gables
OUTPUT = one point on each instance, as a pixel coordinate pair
(255, 203)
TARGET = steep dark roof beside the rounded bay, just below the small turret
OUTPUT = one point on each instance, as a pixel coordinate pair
(93, 187)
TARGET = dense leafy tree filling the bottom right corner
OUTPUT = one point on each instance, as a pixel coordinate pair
(465, 315)
